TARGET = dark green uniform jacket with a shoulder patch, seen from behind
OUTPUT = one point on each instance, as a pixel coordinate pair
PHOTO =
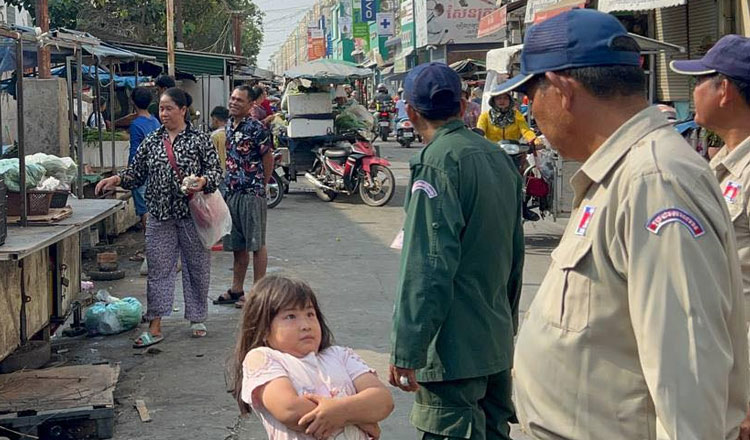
(456, 307)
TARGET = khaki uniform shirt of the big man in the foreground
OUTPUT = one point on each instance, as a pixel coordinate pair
(637, 331)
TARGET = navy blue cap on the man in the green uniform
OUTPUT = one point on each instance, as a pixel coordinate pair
(434, 90)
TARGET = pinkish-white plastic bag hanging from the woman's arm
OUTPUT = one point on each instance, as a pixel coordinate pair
(211, 216)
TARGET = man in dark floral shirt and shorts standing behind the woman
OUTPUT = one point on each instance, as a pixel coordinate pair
(249, 165)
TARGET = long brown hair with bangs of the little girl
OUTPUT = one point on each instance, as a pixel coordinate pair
(267, 298)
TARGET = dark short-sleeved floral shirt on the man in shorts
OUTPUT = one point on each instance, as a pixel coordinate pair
(246, 146)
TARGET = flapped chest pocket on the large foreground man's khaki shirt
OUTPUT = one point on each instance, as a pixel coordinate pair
(573, 302)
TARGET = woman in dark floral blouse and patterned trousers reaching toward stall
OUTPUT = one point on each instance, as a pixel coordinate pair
(170, 231)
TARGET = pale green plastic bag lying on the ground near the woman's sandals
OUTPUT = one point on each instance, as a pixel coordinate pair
(115, 317)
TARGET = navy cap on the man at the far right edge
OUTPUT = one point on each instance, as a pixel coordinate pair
(729, 56)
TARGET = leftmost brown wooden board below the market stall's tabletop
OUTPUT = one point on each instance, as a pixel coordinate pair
(10, 307)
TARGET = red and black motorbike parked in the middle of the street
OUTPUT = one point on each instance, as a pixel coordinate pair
(347, 164)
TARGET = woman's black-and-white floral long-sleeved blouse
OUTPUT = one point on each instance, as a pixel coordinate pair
(194, 154)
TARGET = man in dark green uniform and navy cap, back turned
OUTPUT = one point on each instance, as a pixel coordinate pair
(461, 265)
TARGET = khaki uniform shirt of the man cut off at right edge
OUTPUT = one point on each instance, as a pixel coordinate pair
(733, 171)
